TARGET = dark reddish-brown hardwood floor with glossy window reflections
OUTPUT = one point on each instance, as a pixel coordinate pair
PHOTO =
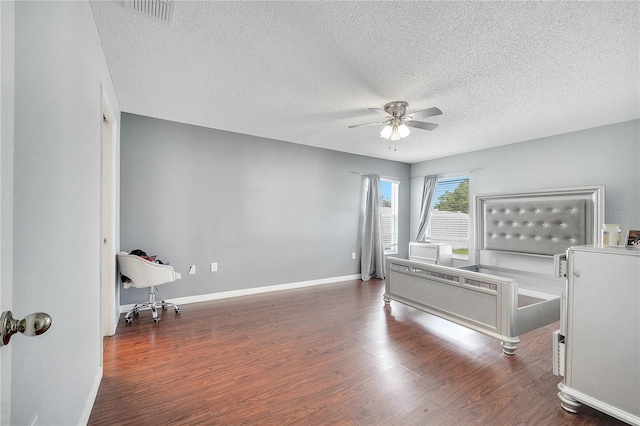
(330, 354)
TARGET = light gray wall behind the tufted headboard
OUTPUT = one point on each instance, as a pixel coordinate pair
(608, 155)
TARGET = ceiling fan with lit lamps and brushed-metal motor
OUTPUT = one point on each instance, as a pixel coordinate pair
(398, 120)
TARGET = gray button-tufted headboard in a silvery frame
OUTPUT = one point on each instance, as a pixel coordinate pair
(544, 222)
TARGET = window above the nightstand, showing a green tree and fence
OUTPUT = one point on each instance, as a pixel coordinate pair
(450, 214)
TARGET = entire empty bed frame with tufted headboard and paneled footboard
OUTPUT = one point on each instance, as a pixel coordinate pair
(518, 235)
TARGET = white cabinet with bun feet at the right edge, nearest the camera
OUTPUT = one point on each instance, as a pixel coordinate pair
(598, 346)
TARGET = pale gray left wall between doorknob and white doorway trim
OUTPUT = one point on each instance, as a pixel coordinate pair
(59, 69)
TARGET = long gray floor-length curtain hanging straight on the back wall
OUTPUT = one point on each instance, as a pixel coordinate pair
(372, 263)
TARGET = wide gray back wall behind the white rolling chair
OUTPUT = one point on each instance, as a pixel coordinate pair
(268, 212)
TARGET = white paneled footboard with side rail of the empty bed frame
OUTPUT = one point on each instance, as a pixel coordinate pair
(484, 303)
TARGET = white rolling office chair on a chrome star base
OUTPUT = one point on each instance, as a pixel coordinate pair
(143, 273)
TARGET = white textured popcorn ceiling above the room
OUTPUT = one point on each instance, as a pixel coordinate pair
(501, 72)
